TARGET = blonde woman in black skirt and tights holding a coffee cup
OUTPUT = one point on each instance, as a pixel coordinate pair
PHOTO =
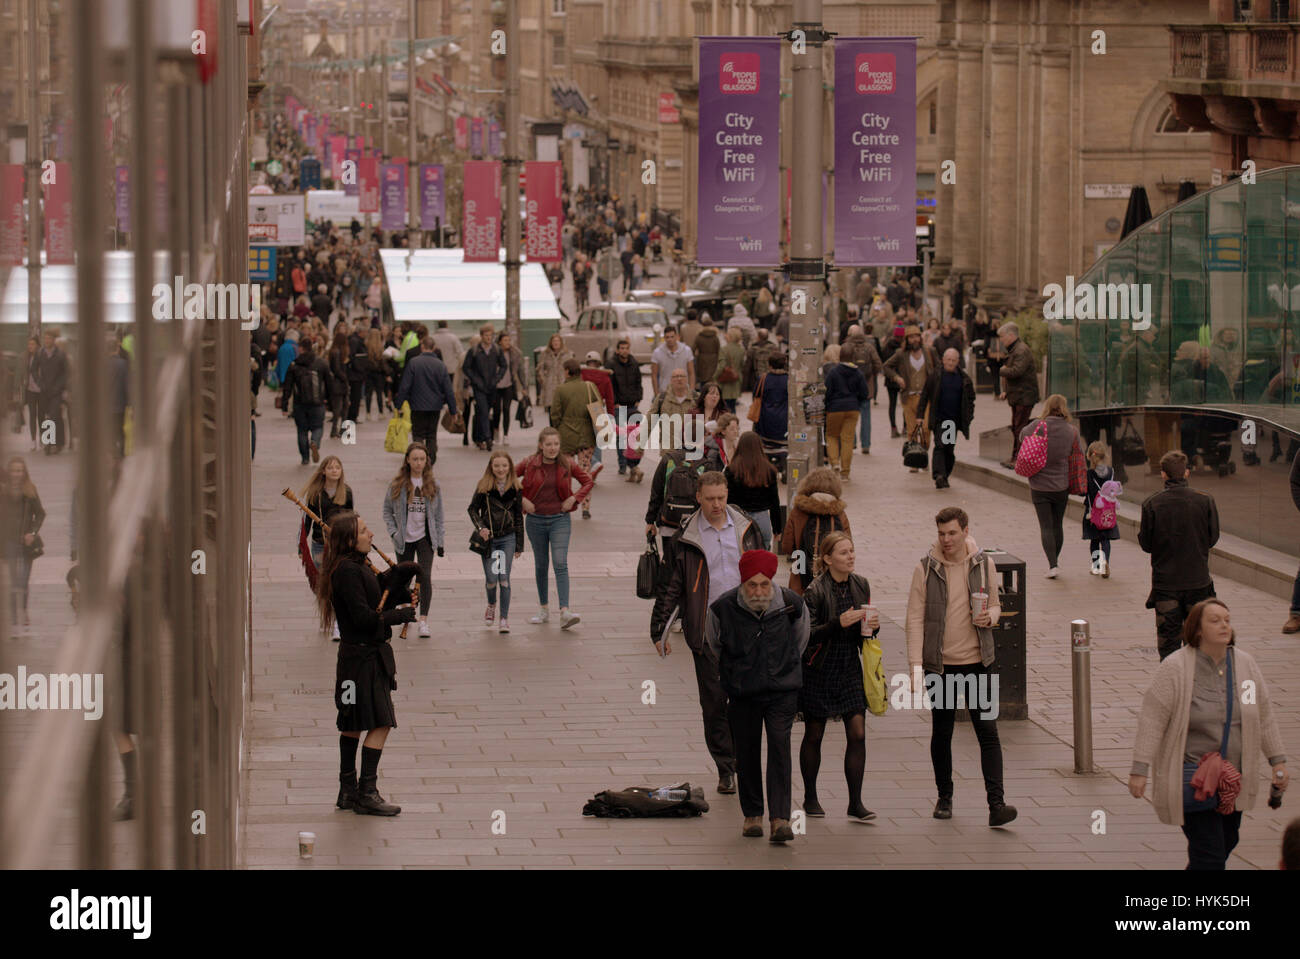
(843, 618)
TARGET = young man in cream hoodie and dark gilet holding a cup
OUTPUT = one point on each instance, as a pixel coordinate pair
(951, 649)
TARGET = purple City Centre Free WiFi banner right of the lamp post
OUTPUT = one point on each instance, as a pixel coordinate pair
(876, 153)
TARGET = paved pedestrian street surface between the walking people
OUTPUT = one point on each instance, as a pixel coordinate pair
(535, 723)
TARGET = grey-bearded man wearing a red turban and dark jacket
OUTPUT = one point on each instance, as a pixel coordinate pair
(759, 633)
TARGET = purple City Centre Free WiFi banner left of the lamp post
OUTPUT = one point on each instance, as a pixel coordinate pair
(740, 214)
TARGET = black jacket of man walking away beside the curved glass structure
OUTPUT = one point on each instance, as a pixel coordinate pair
(1178, 528)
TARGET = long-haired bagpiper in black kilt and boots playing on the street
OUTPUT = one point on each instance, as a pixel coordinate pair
(366, 607)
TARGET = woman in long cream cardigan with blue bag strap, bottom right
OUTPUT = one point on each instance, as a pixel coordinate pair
(1201, 737)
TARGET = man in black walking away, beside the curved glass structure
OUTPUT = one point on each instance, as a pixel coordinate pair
(1180, 526)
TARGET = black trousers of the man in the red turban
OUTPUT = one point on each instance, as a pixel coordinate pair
(748, 718)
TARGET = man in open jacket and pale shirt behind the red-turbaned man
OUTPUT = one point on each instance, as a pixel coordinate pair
(705, 566)
